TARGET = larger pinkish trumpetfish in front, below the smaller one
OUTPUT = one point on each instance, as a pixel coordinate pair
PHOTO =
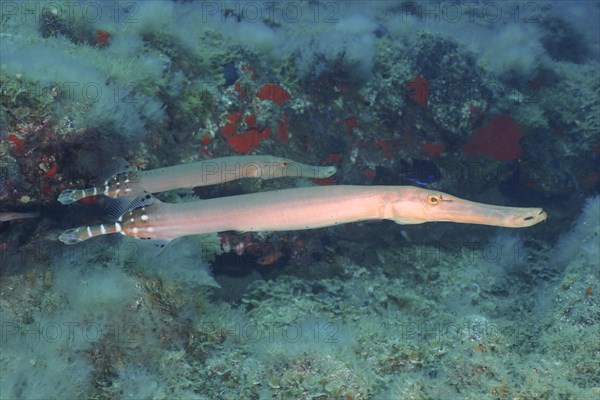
(305, 208)
